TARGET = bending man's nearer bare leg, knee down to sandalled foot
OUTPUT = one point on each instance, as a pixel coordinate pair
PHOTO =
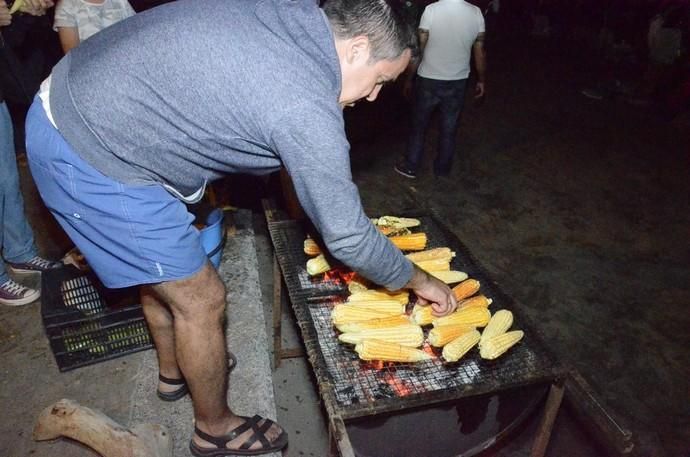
(198, 308)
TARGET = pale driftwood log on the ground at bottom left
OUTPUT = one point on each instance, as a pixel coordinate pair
(93, 428)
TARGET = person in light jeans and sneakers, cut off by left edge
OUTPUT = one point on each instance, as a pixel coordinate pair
(16, 238)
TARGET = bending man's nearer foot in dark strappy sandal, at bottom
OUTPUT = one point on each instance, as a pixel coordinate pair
(243, 436)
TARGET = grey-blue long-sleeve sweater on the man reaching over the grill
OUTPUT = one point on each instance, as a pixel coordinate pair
(189, 91)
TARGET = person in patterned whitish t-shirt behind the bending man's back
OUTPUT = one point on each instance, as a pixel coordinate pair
(76, 20)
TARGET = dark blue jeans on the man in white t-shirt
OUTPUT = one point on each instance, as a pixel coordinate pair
(449, 97)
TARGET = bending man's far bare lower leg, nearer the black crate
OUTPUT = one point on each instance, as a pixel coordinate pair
(160, 323)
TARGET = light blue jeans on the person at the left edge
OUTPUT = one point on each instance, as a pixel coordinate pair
(16, 237)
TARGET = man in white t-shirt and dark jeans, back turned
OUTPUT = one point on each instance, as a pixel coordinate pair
(450, 32)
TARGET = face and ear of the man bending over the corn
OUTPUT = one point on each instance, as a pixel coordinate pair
(362, 78)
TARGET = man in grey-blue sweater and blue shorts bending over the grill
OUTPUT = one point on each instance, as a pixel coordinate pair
(116, 166)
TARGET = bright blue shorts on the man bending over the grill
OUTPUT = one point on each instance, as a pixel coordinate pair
(129, 234)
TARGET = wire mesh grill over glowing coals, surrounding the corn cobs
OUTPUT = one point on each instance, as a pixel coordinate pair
(354, 388)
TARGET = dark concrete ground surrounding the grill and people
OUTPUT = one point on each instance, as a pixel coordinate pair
(577, 208)
